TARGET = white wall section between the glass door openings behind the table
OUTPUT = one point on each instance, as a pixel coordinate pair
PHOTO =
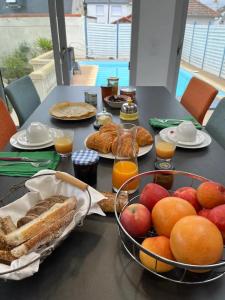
(158, 28)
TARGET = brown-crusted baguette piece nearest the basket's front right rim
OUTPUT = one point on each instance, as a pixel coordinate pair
(45, 236)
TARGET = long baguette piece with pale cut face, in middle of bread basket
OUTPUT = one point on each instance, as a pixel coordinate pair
(32, 228)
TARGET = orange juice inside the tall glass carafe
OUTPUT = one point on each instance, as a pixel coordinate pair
(122, 171)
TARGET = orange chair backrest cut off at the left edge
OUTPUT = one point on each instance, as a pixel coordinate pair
(7, 126)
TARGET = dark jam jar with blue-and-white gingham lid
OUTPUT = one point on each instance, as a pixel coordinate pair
(85, 163)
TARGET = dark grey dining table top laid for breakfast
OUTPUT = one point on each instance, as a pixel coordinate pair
(91, 263)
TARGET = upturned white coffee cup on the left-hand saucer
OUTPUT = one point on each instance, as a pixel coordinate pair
(37, 133)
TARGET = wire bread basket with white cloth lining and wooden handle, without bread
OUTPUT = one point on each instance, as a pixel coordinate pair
(66, 185)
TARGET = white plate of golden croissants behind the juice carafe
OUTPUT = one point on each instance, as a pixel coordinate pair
(105, 141)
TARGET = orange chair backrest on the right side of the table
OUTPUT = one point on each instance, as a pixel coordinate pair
(198, 97)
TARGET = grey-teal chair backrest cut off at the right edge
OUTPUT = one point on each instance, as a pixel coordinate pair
(216, 124)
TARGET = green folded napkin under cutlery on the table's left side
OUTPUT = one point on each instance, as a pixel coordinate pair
(26, 169)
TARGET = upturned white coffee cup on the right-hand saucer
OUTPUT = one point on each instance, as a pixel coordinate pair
(186, 132)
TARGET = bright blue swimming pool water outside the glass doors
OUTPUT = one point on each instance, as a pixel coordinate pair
(120, 70)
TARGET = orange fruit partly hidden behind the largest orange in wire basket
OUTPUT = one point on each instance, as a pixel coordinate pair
(168, 211)
